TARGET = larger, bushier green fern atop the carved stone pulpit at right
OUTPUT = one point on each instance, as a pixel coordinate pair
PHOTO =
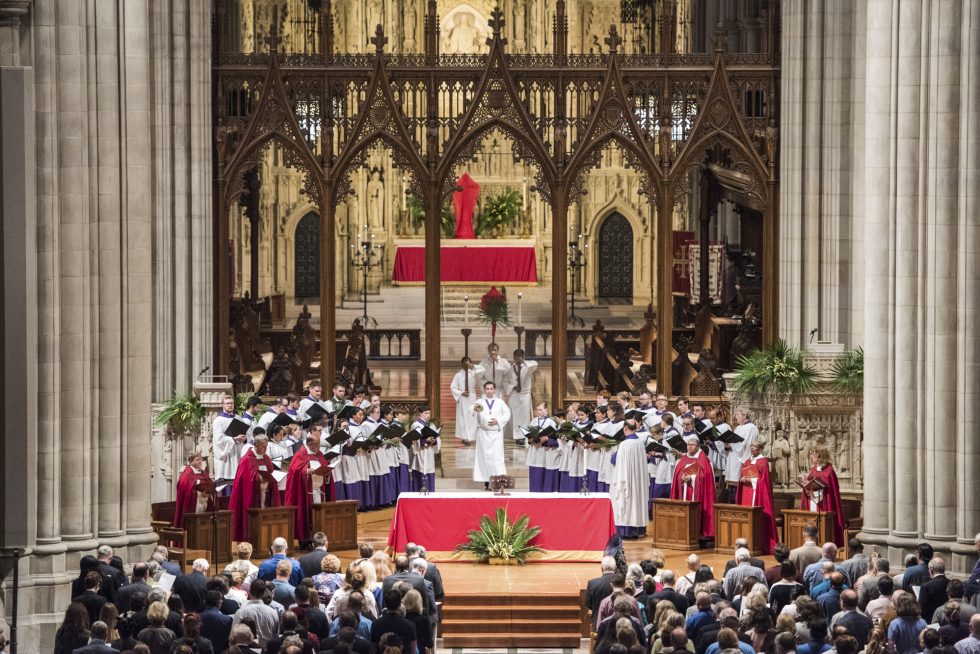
(776, 368)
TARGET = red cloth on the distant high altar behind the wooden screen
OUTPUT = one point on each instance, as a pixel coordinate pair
(469, 264)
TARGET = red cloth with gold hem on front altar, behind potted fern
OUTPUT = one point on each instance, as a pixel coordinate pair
(573, 527)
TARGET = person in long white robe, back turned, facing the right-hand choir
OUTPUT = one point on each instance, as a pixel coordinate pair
(629, 485)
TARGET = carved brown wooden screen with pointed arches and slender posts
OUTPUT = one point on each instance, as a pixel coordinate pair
(666, 112)
